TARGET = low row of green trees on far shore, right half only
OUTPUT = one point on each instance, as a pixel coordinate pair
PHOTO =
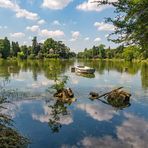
(128, 53)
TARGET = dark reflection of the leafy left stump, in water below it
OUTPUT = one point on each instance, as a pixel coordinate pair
(58, 110)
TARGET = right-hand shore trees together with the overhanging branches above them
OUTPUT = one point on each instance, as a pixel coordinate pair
(130, 31)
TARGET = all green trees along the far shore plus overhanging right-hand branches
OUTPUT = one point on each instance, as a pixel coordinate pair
(130, 32)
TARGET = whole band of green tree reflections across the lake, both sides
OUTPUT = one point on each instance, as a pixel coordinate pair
(54, 68)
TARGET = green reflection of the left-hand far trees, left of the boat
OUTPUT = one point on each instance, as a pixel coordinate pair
(50, 68)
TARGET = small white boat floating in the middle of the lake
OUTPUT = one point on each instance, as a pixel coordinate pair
(84, 69)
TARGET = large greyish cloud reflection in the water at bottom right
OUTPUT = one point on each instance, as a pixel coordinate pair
(132, 133)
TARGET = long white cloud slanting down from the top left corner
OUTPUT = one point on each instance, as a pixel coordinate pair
(20, 13)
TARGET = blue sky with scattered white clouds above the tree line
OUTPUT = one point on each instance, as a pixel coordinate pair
(78, 23)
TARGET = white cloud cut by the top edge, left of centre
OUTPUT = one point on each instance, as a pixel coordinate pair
(55, 4)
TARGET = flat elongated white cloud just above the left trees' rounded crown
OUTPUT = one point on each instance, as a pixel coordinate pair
(56, 33)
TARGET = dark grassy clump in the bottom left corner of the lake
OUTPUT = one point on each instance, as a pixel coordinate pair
(9, 137)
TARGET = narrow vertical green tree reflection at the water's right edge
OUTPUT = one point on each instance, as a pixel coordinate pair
(144, 75)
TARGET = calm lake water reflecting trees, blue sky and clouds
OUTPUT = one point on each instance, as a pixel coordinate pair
(84, 123)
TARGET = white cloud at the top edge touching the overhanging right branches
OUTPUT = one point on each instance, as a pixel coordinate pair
(90, 6)
